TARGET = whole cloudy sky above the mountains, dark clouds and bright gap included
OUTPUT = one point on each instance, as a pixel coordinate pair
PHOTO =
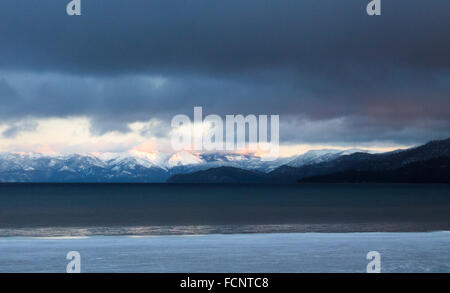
(113, 78)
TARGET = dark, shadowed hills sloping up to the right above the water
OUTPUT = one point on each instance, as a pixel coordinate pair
(428, 163)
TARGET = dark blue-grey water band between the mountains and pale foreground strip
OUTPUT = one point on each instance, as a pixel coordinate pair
(148, 209)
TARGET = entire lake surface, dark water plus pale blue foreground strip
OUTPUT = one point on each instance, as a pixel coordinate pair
(224, 228)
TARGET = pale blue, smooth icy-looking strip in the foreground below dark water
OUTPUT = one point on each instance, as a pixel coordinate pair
(290, 252)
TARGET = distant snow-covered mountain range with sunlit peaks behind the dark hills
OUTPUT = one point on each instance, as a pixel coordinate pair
(138, 166)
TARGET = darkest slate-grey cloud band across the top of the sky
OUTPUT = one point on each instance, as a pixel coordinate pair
(222, 36)
